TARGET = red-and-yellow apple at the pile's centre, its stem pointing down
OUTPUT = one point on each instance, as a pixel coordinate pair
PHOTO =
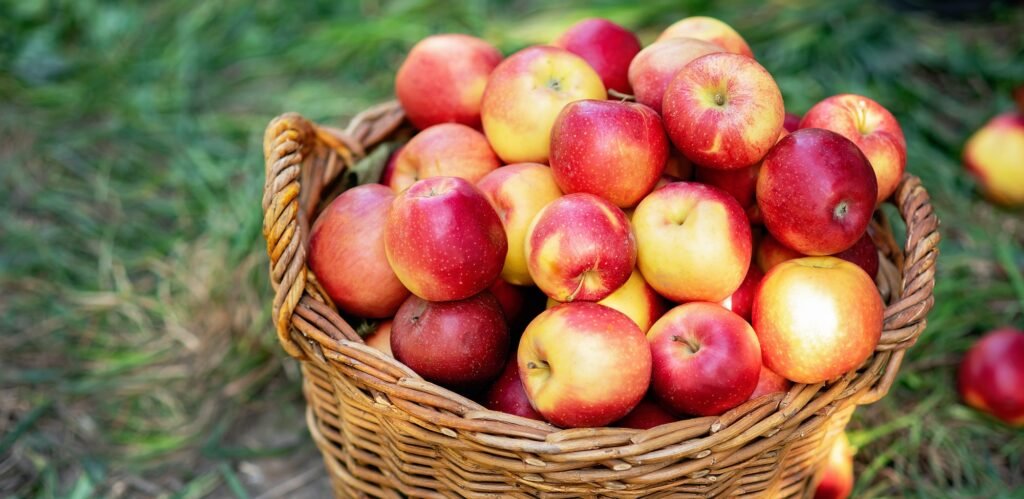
(580, 247)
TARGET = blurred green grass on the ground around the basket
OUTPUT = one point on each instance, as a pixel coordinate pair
(138, 352)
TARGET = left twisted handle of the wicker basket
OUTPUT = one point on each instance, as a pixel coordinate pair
(302, 159)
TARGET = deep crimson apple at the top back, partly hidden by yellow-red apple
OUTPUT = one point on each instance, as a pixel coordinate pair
(606, 47)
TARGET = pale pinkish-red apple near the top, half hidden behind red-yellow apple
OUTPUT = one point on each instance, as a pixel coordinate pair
(659, 63)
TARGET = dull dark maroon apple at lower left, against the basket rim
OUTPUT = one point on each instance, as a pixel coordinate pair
(460, 345)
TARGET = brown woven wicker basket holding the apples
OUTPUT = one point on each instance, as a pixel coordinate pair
(387, 433)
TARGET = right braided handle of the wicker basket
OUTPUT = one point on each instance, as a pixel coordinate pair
(905, 319)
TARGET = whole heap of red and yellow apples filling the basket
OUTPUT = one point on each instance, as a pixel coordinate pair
(696, 245)
